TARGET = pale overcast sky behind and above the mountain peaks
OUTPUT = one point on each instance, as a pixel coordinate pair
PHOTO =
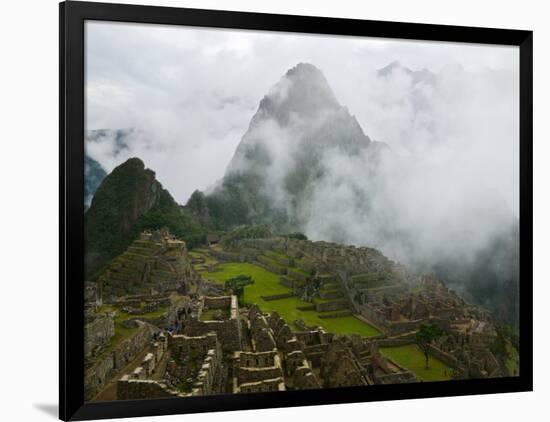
(191, 93)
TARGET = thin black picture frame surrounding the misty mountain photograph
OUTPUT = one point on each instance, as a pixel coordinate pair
(72, 16)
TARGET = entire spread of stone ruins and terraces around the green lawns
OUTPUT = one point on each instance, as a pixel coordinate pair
(206, 344)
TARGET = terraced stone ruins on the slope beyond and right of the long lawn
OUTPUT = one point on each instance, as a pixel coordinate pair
(363, 282)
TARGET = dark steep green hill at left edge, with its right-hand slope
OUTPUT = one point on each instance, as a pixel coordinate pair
(128, 201)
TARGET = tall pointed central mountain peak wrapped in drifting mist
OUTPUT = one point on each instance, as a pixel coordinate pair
(282, 154)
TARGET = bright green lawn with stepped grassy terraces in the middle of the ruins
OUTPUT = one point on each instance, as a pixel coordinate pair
(280, 284)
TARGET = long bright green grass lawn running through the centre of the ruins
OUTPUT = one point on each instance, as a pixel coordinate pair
(267, 283)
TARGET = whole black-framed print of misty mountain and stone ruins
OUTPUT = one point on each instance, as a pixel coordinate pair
(266, 210)
